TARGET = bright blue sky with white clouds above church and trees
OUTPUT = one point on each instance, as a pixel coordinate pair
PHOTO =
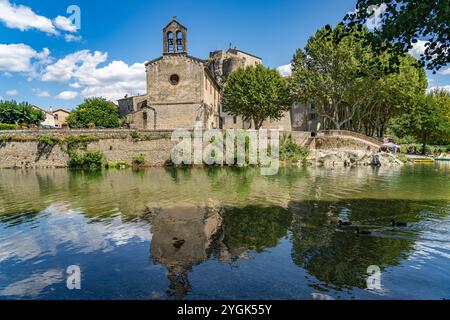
(45, 60)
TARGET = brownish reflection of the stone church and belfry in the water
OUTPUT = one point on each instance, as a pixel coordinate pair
(185, 237)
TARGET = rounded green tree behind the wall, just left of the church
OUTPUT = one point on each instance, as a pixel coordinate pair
(95, 111)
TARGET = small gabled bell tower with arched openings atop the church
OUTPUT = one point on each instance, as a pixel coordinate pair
(174, 38)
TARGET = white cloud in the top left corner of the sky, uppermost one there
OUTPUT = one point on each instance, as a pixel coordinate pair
(23, 18)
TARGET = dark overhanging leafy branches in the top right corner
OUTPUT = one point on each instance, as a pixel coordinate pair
(405, 22)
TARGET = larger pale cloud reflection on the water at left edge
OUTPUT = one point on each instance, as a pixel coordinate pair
(68, 228)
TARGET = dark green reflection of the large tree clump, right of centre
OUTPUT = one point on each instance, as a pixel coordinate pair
(337, 256)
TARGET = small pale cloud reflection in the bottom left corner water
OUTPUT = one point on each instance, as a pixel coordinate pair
(33, 285)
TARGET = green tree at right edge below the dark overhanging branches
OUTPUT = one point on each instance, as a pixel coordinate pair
(428, 119)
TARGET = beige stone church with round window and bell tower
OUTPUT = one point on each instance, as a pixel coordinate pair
(183, 90)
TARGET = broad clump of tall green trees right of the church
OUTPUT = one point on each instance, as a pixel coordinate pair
(353, 85)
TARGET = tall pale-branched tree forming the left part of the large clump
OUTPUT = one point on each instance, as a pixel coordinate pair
(330, 71)
